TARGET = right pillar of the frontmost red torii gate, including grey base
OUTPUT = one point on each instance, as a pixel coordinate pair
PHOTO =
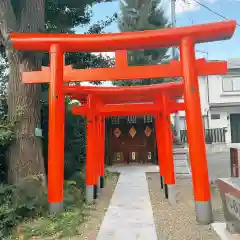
(197, 149)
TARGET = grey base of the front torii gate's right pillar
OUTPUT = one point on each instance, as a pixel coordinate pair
(204, 213)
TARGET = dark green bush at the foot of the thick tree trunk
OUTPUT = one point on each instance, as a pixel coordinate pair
(20, 201)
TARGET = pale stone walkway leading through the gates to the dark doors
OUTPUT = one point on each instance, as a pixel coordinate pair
(130, 215)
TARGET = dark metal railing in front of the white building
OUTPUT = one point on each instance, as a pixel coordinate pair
(214, 135)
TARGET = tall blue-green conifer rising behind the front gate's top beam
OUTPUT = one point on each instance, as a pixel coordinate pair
(139, 15)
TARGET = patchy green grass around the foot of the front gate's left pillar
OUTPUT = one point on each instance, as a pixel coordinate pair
(65, 224)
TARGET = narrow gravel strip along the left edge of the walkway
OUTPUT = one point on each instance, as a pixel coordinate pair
(90, 228)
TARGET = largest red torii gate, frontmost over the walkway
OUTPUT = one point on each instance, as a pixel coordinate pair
(187, 68)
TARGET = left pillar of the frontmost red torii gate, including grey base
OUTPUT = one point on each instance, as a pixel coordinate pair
(56, 131)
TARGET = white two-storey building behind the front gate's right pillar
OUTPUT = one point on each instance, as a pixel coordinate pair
(220, 102)
